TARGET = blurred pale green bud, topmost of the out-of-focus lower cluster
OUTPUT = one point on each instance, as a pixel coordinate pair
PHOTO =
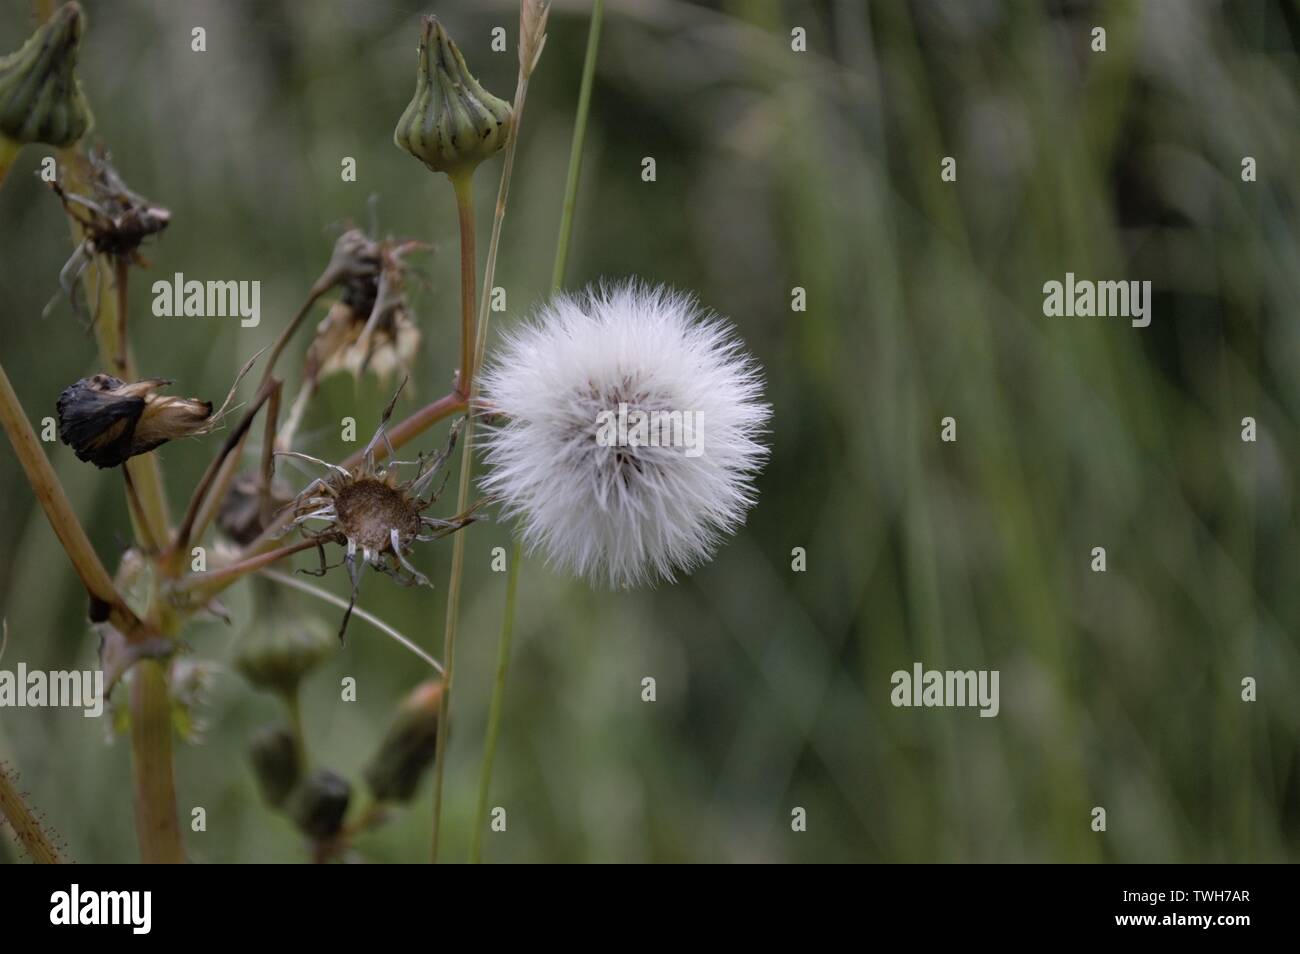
(281, 647)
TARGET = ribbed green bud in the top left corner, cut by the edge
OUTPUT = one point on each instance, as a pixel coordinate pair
(41, 98)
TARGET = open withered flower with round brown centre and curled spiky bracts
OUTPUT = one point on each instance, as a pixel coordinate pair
(374, 515)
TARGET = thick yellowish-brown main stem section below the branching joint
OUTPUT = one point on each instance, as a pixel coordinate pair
(157, 823)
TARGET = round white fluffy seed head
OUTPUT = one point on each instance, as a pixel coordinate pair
(593, 496)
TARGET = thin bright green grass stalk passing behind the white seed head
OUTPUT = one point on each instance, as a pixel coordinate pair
(562, 246)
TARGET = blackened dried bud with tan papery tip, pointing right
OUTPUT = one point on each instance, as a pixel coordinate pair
(109, 422)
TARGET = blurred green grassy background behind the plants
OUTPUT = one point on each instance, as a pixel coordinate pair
(775, 170)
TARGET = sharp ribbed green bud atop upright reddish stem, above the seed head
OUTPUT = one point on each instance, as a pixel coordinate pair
(452, 123)
